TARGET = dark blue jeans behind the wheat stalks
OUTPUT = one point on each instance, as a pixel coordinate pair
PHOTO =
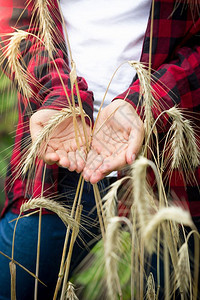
(52, 240)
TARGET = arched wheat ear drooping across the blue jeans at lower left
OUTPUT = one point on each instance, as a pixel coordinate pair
(51, 205)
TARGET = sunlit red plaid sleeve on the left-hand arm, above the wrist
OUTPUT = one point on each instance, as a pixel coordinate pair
(45, 82)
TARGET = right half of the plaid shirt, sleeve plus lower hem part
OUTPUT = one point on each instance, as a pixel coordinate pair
(175, 81)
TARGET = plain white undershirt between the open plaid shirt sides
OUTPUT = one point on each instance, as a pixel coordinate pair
(103, 34)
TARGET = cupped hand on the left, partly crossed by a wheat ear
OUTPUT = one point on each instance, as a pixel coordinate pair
(62, 148)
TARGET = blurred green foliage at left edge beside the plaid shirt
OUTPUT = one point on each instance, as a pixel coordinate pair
(8, 120)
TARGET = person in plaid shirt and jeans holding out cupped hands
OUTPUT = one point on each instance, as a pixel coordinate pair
(176, 61)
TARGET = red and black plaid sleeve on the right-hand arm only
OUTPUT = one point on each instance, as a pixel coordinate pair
(175, 61)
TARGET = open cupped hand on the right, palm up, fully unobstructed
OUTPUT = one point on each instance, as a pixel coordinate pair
(117, 139)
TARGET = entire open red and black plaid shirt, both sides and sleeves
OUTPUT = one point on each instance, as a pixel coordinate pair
(176, 65)
